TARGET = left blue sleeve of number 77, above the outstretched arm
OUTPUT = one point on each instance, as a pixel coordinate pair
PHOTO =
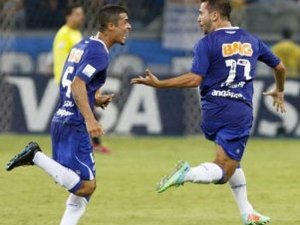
(201, 60)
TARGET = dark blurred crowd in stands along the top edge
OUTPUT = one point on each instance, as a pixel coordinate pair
(49, 14)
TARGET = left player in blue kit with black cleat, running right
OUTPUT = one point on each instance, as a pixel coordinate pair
(73, 123)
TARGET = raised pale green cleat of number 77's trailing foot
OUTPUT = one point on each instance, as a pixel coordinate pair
(176, 178)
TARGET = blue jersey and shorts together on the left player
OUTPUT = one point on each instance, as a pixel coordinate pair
(71, 145)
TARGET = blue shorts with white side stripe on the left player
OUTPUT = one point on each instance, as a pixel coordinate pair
(71, 147)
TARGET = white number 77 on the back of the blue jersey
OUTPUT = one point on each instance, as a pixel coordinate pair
(233, 65)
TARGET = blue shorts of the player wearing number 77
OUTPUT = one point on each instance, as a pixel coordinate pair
(228, 126)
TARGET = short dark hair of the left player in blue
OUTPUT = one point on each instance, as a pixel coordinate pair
(110, 14)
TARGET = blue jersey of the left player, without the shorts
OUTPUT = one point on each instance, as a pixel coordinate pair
(88, 60)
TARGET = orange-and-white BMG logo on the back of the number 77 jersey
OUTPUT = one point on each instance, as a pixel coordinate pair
(230, 49)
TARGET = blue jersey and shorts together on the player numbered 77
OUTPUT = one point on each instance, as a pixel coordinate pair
(226, 59)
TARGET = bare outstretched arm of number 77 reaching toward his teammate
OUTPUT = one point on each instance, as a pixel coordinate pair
(187, 80)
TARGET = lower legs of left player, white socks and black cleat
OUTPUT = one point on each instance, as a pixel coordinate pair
(67, 178)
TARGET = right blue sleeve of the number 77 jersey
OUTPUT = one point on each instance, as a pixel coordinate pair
(267, 56)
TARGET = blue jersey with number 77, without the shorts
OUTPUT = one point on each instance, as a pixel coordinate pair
(227, 60)
